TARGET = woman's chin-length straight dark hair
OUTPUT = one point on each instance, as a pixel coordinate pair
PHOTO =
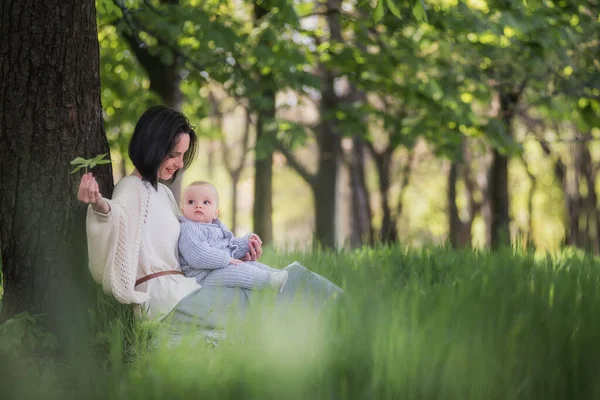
(156, 134)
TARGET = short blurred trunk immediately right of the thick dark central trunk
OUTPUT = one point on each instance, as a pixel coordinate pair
(361, 226)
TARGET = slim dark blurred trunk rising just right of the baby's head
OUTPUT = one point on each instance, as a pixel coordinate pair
(262, 211)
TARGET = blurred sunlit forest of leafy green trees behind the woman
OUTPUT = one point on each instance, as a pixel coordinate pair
(469, 122)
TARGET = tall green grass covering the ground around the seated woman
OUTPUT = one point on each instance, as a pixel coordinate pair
(427, 324)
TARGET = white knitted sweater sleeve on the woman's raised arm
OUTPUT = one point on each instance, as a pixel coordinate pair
(114, 241)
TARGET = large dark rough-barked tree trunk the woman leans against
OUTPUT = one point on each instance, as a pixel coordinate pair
(50, 113)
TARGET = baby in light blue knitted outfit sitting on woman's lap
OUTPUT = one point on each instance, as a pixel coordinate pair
(208, 250)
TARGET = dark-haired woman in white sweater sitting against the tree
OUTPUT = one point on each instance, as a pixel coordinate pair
(132, 238)
